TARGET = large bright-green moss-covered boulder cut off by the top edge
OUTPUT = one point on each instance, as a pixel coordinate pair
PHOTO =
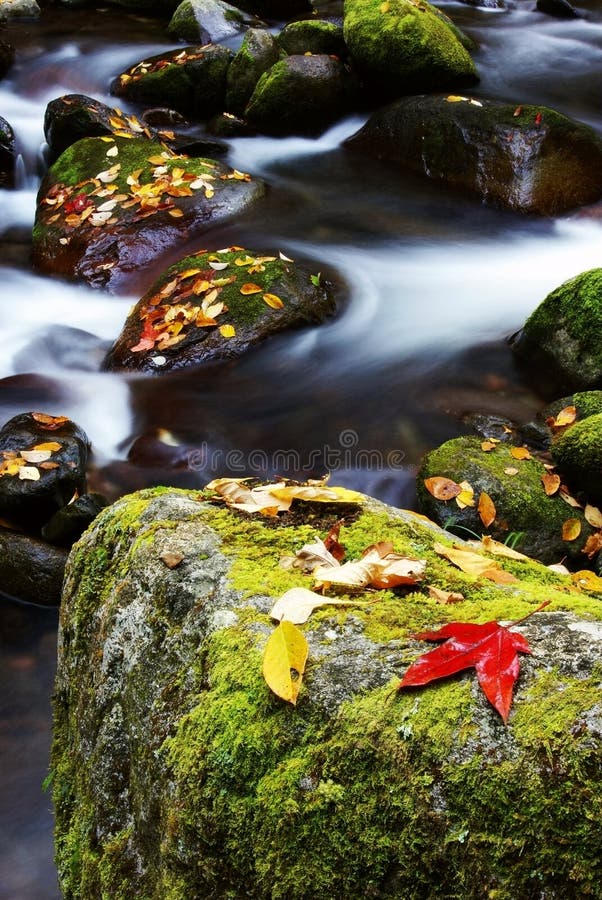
(404, 47)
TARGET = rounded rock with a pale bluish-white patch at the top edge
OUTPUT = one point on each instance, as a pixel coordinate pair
(208, 21)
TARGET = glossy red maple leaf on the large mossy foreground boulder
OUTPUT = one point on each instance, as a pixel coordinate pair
(490, 648)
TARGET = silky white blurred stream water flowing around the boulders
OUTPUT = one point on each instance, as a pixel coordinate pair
(436, 282)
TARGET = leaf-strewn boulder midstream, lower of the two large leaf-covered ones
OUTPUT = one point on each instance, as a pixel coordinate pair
(216, 306)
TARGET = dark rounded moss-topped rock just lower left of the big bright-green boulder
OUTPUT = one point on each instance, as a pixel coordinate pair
(301, 95)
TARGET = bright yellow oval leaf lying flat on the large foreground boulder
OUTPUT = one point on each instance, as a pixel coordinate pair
(284, 661)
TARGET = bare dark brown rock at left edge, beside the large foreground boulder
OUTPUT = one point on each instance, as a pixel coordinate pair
(30, 569)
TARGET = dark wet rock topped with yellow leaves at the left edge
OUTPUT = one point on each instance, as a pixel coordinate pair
(43, 464)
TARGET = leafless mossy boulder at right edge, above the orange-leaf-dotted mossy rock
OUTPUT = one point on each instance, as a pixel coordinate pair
(577, 452)
